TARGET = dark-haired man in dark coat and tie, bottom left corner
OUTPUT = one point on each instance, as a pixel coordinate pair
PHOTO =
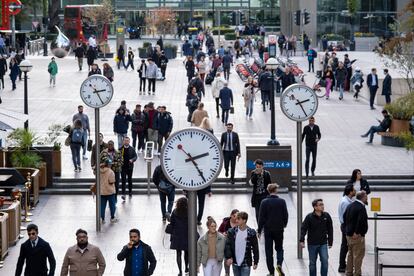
(35, 251)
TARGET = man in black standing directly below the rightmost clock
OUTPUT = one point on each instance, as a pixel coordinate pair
(313, 135)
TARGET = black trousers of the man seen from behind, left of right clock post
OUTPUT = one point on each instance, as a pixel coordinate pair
(275, 237)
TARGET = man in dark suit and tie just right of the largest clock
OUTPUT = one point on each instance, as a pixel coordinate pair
(230, 145)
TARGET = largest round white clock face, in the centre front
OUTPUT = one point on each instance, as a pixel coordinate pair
(191, 159)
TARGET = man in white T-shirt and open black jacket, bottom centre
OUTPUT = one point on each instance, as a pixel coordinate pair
(241, 244)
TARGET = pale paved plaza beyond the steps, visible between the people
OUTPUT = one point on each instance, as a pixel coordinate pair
(342, 122)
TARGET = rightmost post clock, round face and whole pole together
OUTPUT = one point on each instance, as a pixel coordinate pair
(299, 103)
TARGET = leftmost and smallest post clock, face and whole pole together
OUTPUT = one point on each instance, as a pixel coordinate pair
(96, 92)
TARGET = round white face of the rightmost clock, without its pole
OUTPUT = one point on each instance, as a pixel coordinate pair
(299, 102)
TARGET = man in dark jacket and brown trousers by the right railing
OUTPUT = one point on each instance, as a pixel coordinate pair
(356, 226)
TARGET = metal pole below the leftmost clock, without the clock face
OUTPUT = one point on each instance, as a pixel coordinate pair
(97, 172)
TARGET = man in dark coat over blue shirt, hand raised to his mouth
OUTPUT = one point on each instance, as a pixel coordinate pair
(137, 256)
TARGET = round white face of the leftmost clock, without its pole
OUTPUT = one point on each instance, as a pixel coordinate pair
(96, 91)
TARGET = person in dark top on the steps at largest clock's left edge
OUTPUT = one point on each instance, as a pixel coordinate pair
(166, 191)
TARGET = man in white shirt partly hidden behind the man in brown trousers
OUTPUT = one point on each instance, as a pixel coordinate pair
(349, 194)
